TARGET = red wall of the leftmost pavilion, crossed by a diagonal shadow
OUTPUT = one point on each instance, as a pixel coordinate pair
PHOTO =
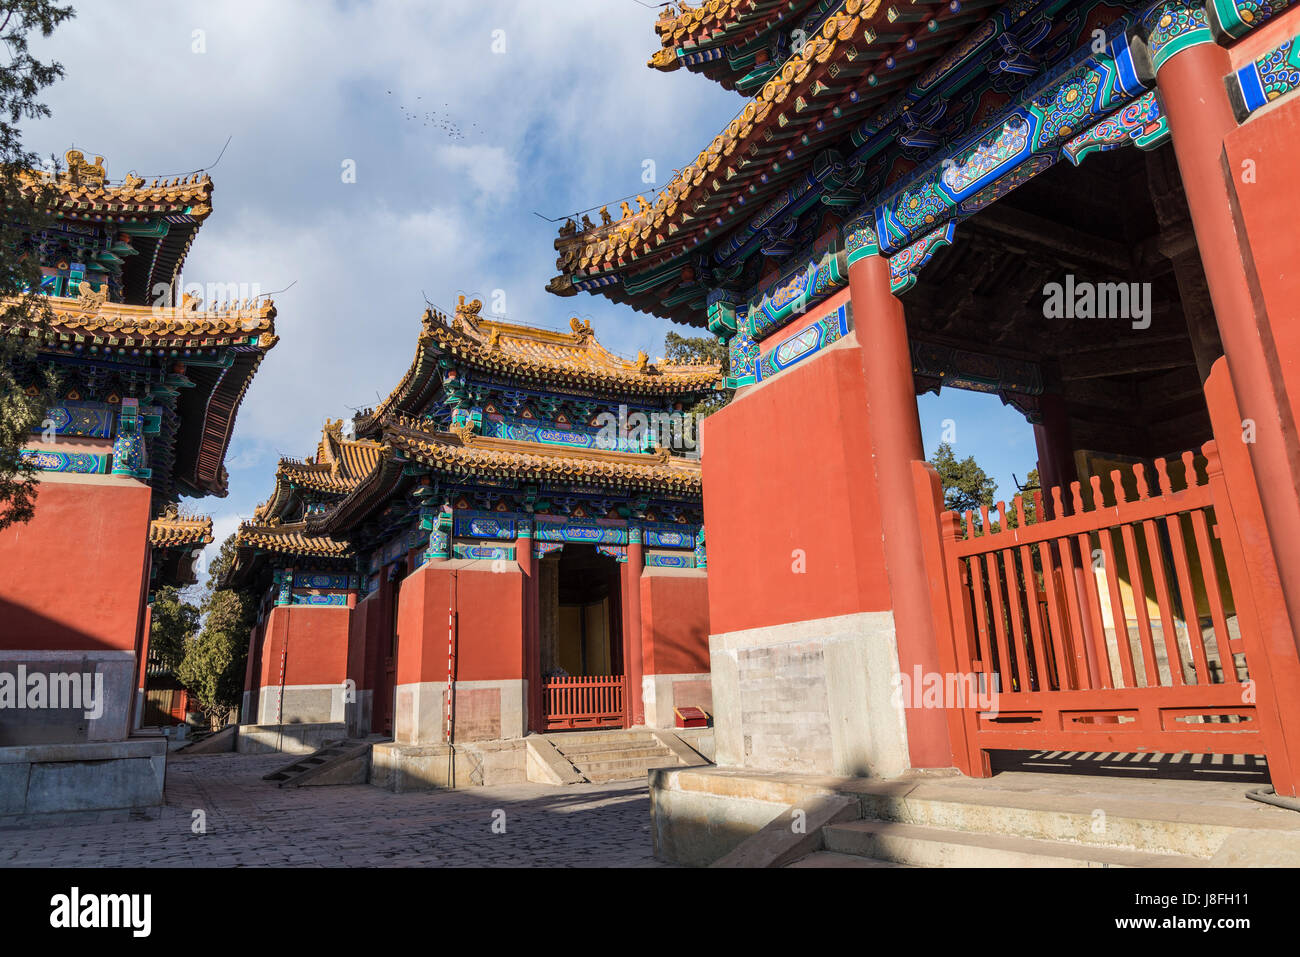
(73, 578)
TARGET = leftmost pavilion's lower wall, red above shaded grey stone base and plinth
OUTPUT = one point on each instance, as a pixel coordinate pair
(72, 609)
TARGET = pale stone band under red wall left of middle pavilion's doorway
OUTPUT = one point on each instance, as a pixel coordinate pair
(483, 712)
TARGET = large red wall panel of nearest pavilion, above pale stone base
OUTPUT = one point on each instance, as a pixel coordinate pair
(788, 466)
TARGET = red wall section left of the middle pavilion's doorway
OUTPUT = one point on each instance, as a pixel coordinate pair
(491, 635)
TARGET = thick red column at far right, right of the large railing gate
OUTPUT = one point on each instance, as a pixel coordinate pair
(1190, 71)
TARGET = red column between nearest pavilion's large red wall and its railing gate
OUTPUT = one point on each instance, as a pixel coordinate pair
(882, 330)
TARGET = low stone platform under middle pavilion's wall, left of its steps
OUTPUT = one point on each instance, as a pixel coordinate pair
(423, 768)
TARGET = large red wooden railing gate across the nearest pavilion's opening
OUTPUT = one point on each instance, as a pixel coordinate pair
(1090, 622)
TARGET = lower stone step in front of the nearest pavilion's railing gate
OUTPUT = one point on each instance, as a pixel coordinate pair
(934, 847)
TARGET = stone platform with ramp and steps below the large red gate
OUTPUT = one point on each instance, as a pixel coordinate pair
(730, 817)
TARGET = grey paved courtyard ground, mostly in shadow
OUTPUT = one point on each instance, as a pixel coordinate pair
(252, 822)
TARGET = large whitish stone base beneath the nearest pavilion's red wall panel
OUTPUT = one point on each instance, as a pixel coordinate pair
(816, 698)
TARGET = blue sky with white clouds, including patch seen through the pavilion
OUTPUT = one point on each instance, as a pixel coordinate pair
(465, 122)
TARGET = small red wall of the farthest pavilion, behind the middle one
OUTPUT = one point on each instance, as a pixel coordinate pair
(318, 646)
